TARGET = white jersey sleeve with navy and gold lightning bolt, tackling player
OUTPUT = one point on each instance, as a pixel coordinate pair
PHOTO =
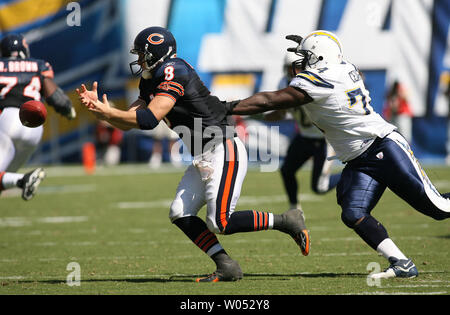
(313, 84)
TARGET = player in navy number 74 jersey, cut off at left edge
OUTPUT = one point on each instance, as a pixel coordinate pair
(22, 79)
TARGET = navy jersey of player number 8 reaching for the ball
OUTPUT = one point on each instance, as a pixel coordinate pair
(195, 107)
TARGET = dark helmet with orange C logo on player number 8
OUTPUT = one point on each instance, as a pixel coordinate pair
(153, 45)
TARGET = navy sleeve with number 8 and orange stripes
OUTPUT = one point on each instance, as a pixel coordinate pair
(172, 78)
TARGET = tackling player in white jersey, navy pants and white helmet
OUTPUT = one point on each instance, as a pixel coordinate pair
(331, 91)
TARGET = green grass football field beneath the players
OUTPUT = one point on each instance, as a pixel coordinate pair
(115, 226)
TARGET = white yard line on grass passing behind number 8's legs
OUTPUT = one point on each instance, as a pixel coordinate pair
(243, 200)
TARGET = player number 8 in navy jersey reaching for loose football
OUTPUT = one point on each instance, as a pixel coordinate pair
(170, 89)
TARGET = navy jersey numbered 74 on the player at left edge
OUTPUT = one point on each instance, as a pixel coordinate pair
(21, 80)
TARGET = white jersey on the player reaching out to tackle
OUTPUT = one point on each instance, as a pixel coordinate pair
(341, 109)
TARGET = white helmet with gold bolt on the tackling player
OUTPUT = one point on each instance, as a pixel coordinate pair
(319, 49)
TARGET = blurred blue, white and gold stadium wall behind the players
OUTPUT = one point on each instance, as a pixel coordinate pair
(238, 48)
